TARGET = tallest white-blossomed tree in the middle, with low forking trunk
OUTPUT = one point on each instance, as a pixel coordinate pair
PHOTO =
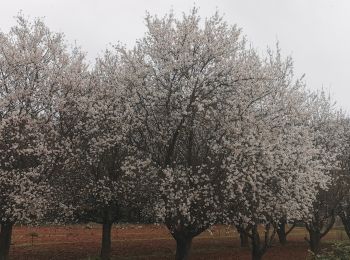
(181, 73)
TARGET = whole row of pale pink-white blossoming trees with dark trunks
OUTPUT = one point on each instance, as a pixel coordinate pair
(191, 127)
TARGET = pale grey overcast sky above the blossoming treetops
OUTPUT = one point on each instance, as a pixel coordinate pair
(316, 33)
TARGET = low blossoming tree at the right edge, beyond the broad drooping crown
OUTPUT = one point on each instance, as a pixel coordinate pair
(330, 133)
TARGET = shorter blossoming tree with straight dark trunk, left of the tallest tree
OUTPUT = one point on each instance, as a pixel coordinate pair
(96, 120)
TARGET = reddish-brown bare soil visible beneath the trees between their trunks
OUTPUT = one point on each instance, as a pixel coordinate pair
(144, 242)
